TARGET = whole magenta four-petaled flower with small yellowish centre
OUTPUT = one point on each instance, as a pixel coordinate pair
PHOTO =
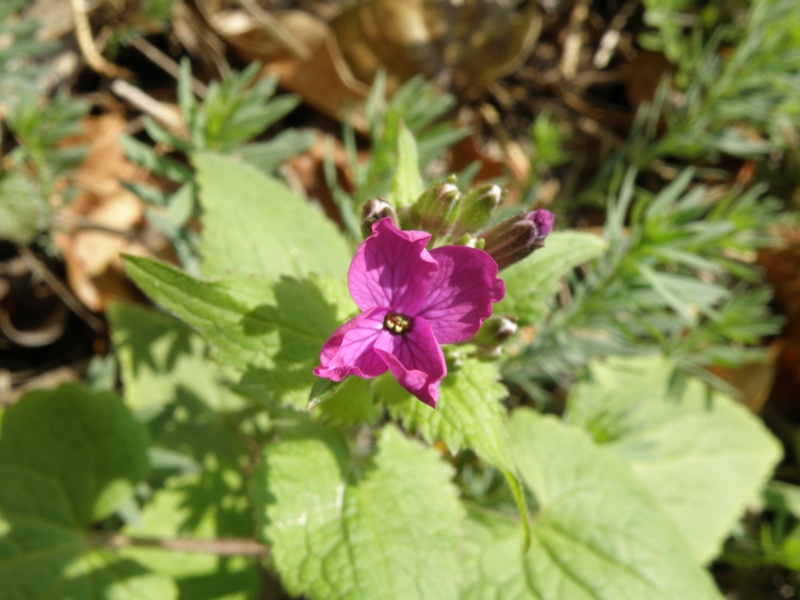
(412, 301)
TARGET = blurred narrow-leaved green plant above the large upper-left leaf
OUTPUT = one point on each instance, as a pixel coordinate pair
(234, 111)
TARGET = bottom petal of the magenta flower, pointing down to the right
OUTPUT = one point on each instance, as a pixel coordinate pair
(415, 359)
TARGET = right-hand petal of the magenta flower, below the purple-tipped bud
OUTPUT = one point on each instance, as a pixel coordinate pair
(461, 292)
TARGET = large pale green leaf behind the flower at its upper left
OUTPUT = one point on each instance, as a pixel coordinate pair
(253, 225)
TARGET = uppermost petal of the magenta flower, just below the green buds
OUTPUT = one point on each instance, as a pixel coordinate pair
(391, 268)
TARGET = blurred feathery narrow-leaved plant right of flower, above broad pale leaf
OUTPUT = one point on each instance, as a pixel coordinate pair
(665, 283)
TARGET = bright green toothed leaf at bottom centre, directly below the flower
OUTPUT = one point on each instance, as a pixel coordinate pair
(386, 528)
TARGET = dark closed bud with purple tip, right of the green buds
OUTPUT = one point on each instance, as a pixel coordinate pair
(515, 238)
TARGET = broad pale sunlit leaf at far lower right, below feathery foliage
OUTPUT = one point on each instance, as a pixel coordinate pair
(702, 456)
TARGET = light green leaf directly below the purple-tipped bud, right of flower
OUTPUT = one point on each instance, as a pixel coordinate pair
(533, 281)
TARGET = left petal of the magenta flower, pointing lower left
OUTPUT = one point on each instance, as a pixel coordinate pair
(349, 350)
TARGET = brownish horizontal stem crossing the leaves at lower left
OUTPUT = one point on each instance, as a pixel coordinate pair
(219, 547)
